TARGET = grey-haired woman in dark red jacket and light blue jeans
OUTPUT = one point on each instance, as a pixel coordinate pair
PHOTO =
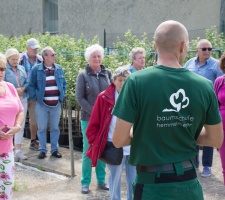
(100, 129)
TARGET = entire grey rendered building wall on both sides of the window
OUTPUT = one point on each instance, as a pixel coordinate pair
(91, 17)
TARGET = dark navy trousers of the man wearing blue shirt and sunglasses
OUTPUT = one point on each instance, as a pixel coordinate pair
(207, 156)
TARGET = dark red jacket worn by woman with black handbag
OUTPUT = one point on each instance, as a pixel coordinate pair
(98, 125)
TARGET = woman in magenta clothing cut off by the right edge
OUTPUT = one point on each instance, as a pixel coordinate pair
(219, 88)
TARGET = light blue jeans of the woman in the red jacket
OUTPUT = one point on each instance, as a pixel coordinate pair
(115, 179)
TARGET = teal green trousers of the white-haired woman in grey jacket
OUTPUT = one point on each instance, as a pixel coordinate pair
(86, 162)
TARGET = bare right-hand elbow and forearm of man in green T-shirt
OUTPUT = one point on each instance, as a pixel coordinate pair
(211, 135)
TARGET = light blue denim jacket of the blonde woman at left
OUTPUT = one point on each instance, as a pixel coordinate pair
(10, 76)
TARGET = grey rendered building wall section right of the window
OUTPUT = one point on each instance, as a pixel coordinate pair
(91, 17)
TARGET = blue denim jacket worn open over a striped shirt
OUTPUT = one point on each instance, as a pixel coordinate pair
(37, 82)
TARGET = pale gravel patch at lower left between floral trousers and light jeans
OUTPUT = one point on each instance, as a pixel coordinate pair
(33, 184)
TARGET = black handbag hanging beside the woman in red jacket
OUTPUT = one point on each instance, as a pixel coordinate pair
(112, 155)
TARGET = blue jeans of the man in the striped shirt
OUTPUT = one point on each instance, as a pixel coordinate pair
(43, 114)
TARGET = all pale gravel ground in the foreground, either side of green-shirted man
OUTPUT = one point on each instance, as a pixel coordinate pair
(33, 184)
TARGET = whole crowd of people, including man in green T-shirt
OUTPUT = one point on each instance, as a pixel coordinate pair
(160, 116)
